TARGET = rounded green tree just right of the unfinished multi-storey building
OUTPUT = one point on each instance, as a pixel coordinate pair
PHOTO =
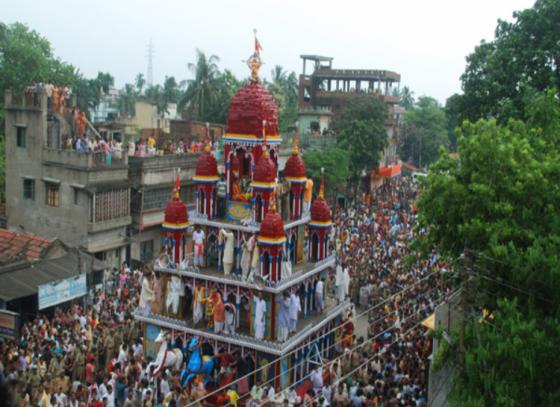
(424, 130)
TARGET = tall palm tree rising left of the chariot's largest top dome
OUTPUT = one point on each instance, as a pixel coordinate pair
(201, 90)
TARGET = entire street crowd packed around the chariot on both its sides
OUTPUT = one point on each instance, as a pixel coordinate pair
(92, 355)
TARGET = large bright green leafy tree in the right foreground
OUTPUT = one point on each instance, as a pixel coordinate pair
(497, 204)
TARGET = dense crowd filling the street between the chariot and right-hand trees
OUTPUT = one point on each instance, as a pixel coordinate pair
(387, 366)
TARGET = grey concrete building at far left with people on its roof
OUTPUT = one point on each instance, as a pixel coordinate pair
(62, 193)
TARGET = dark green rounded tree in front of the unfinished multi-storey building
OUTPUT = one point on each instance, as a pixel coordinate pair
(361, 131)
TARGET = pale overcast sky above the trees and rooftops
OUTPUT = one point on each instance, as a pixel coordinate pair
(425, 41)
